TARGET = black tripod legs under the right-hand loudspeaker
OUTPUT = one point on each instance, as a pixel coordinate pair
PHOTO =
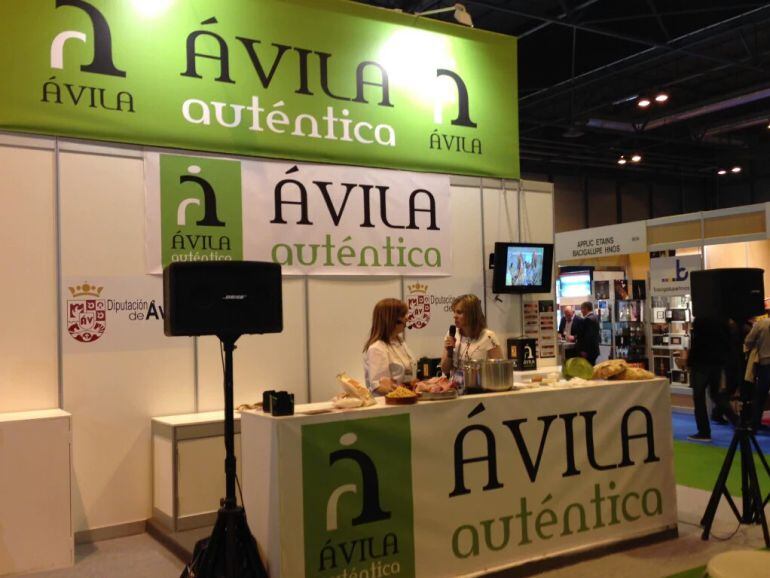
(753, 504)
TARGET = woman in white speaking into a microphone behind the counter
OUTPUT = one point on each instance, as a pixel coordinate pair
(473, 340)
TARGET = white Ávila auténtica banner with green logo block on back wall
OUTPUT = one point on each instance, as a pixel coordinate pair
(310, 218)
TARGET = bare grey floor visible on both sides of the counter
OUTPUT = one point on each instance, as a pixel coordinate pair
(141, 556)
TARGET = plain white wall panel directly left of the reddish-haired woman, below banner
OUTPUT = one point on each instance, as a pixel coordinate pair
(340, 317)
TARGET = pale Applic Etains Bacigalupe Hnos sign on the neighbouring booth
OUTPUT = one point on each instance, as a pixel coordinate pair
(602, 241)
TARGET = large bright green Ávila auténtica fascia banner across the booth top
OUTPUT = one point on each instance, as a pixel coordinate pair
(319, 80)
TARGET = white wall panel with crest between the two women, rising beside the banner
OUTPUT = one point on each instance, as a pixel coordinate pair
(467, 276)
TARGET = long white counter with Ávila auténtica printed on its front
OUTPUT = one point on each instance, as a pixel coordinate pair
(459, 487)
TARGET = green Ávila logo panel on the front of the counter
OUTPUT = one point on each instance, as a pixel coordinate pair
(357, 498)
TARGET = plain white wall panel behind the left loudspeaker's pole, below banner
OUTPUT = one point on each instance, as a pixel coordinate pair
(260, 362)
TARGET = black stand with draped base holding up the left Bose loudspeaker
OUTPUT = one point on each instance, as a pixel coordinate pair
(231, 550)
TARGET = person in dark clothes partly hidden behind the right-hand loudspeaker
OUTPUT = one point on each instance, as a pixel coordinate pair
(706, 360)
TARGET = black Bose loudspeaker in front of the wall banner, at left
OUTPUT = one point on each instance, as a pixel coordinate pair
(224, 298)
